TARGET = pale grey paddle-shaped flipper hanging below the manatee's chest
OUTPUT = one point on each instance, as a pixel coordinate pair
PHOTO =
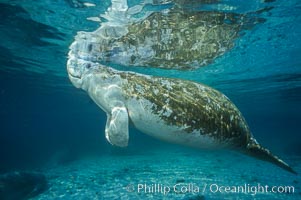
(117, 127)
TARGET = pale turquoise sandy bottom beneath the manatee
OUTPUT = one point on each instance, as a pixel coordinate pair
(172, 174)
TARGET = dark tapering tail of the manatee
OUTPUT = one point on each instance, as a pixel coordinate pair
(254, 149)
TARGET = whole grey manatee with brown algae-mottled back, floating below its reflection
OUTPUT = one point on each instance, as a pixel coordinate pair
(173, 110)
